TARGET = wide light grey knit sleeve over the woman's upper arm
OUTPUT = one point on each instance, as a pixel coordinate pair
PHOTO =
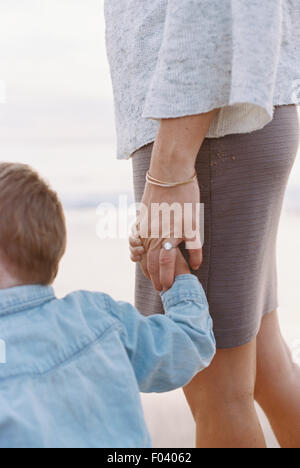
(216, 54)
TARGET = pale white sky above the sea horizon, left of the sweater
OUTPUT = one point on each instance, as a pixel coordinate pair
(54, 66)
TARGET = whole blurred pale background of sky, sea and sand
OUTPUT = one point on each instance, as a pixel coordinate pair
(56, 113)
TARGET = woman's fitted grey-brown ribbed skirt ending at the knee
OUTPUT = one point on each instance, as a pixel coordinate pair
(243, 179)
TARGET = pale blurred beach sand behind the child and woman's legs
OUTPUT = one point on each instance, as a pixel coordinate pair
(94, 264)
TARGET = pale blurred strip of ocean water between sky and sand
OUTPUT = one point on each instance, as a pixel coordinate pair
(87, 174)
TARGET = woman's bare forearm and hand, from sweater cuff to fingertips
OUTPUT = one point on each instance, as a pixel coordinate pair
(173, 160)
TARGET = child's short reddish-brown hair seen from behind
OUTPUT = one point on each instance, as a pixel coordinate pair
(32, 225)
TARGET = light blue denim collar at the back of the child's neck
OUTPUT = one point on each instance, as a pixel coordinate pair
(24, 297)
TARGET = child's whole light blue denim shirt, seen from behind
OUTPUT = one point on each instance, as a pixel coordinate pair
(75, 366)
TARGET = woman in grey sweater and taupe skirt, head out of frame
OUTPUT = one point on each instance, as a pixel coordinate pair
(211, 85)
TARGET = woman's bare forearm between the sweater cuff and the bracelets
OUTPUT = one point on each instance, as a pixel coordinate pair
(177, 145)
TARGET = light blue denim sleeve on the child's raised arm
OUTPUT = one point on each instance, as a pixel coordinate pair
(167, 351)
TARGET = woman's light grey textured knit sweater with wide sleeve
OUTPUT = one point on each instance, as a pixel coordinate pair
(172, 58)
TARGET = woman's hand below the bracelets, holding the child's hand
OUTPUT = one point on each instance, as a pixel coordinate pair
(177, 221)
